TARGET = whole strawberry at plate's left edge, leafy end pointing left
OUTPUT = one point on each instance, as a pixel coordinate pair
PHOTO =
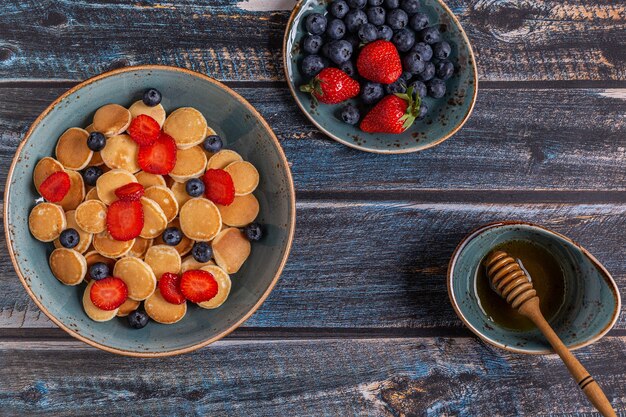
(332, 86)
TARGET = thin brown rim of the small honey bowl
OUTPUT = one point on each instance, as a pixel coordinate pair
(605, 274)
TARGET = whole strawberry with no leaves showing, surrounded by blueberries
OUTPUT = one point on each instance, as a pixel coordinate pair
(380, 62)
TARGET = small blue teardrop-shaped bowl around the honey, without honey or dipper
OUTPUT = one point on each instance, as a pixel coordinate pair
(592, 301)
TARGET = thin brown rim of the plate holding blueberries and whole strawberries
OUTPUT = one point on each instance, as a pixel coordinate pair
(328, 133)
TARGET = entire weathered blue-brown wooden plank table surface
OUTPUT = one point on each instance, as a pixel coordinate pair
(359, 323)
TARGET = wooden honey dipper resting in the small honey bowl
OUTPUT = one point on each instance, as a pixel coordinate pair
(510, 281)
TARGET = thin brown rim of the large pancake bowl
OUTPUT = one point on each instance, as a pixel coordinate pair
(291, 223)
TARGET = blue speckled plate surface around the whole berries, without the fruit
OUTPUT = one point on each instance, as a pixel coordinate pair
(446, 115)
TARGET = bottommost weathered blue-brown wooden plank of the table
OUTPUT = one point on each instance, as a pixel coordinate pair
(428, 377)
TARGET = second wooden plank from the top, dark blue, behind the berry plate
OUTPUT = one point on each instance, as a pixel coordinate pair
(516, 140)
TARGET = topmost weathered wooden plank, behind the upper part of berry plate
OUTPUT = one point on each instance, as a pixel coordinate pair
(513, 40)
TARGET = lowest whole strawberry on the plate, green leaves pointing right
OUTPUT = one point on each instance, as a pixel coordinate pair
(393, 114)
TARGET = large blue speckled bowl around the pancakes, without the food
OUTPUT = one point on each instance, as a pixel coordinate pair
(243, 130)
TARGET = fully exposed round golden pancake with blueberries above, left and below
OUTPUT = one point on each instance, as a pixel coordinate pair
(200, 219)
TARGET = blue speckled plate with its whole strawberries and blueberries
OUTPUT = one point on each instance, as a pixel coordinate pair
(383, 76)
